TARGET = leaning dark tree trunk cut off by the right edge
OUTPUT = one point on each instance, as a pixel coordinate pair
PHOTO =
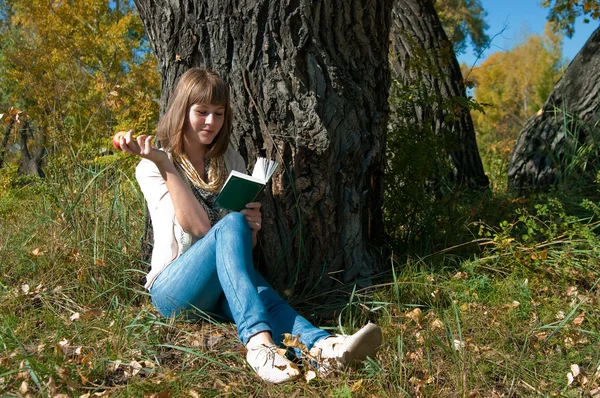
(550, 147)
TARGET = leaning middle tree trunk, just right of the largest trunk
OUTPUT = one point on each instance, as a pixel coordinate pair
(424, 62)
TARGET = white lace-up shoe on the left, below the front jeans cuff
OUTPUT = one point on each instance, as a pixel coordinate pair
(272, 365)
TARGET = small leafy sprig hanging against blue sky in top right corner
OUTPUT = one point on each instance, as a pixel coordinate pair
(563, 13)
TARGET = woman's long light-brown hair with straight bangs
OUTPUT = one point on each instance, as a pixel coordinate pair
(195, 86)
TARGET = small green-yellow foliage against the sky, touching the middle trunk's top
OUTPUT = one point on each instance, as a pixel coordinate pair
(464, 19)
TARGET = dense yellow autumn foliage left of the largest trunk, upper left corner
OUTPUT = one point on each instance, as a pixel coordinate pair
(79, 69)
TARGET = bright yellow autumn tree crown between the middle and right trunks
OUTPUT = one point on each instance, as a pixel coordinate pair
(515, 84)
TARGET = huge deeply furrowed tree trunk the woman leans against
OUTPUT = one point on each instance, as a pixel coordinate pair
(309, 83)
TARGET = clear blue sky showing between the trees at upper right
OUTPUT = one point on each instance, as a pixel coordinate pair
(523, 17)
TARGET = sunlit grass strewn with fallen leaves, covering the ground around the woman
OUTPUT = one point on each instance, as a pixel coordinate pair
(501, 299)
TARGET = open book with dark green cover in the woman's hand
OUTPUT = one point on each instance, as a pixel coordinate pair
(241, 189)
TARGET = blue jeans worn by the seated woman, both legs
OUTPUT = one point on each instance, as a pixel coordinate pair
(217, 275)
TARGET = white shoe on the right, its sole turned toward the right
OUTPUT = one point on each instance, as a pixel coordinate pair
(336, 352)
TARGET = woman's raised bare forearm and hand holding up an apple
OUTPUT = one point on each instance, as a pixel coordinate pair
(189, 213)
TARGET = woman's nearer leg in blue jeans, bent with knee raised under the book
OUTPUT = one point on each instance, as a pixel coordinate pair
(219, 264)
